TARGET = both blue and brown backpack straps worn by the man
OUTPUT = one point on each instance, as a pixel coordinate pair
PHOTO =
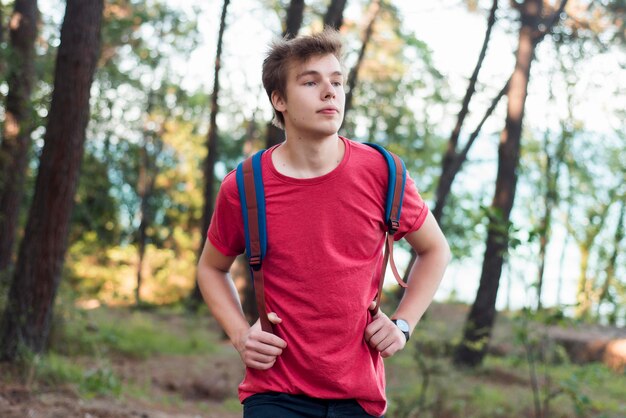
(252, 198)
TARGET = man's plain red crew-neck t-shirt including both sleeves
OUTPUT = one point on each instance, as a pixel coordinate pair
(324, 250)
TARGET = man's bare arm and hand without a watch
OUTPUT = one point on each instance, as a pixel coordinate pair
(258, 349)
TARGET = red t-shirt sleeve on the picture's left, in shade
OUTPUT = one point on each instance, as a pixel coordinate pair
(226, 228)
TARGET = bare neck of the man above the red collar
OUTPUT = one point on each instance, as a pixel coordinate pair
(304, 158)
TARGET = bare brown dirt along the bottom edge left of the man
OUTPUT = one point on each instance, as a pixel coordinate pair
(167, 387)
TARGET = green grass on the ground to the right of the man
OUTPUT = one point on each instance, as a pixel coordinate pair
(423, 381)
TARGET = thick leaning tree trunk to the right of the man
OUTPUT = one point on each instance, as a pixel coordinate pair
(479, 323)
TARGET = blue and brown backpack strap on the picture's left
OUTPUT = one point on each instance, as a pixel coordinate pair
(252, 198)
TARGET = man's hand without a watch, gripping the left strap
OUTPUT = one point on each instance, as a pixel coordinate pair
(259, 349)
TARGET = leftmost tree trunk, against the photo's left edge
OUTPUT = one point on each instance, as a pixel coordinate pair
(17, 124)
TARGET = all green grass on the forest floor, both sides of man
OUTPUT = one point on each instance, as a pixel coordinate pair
(422, 380)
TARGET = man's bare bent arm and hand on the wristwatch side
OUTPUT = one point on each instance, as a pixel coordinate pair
(433, 257)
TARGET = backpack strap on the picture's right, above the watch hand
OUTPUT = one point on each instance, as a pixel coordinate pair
(393, 208)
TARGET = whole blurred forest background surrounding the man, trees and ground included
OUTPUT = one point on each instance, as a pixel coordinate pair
(120, 118)
